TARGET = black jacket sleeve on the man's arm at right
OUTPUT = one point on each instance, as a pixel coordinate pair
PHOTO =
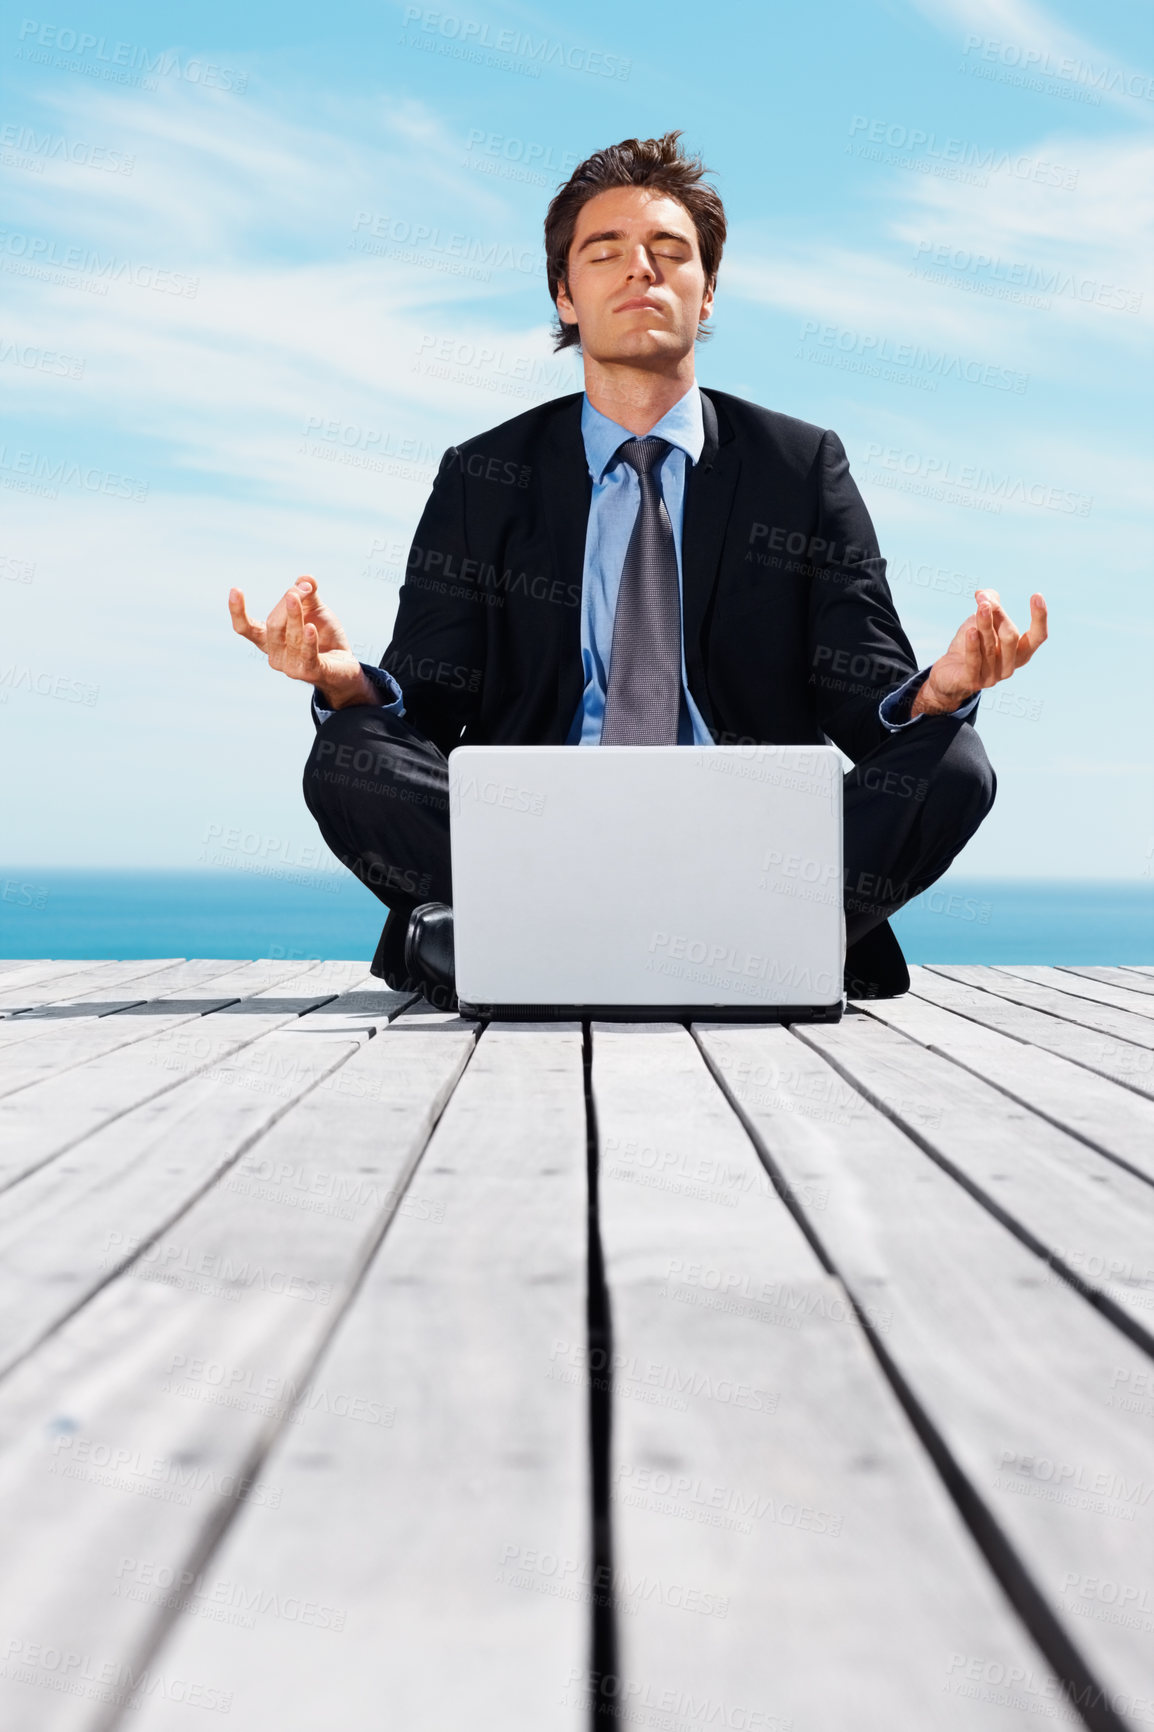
(859, 650)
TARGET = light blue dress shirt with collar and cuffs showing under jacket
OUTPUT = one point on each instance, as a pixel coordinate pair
(613, 515)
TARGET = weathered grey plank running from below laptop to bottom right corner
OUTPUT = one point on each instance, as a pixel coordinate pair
(1018, 1380)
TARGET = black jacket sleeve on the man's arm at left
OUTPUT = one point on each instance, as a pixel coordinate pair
(438, 650)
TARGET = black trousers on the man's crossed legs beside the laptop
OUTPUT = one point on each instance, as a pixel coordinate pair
(380, 796)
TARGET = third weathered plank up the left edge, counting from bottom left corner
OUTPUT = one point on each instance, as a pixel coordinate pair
(46, 1120)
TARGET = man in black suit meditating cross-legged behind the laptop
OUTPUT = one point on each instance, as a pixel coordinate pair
(555, 581)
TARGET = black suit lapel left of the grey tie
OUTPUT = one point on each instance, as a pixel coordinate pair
(567, 494)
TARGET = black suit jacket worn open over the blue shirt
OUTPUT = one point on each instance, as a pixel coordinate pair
(791, 635)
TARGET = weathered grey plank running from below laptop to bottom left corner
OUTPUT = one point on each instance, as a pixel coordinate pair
(117, 1440)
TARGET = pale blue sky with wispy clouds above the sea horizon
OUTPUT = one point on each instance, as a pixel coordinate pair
(261, 269)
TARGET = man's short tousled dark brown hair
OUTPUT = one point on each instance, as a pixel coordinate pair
(658, 164)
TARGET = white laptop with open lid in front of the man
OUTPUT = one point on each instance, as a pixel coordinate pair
(649, 882)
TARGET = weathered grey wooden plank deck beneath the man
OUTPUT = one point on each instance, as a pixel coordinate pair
(365, 1371)
